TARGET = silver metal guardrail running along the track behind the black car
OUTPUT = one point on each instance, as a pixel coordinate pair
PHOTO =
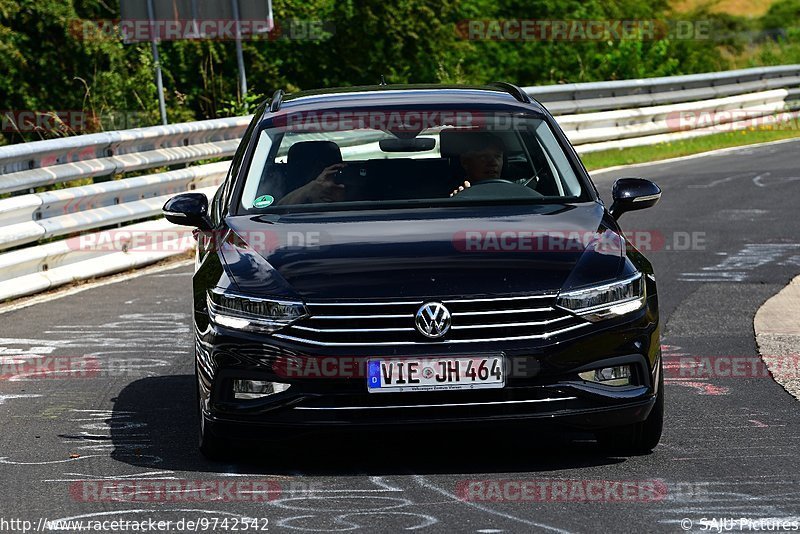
(58, 236)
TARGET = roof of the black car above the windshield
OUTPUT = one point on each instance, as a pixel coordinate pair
(469, 97)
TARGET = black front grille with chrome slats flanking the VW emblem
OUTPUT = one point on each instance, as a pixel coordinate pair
(392, 323)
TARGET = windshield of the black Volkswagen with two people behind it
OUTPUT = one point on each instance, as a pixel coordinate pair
(363, 160)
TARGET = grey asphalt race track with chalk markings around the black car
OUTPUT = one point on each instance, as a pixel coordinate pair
(122, 408)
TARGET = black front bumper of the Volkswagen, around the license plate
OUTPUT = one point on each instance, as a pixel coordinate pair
(541, 385)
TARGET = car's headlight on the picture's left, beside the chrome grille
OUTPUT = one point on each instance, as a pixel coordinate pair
(252, 314)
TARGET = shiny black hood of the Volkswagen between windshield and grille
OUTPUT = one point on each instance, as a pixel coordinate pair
(422, 253)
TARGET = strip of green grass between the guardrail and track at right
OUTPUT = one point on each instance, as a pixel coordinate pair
(643, 154)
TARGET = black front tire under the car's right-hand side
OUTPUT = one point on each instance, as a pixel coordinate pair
(638, 438)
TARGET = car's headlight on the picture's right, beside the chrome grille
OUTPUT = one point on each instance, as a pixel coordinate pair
(605, 301)
